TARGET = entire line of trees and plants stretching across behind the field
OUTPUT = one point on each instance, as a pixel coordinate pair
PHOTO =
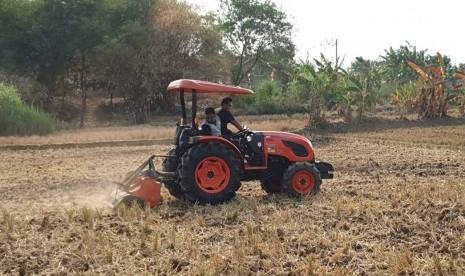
(132, 49)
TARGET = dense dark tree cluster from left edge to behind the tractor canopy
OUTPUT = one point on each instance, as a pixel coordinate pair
(132, 48)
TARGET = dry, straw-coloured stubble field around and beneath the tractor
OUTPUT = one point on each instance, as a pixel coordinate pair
(393, 208)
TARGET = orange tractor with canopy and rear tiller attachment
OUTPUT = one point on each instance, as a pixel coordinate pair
(209, 169)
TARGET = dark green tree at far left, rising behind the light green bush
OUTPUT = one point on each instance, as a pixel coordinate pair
(51, 40)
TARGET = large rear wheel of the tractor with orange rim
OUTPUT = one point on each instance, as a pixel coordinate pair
(210, 173)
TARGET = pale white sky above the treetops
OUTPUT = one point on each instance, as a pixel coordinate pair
(366, 28)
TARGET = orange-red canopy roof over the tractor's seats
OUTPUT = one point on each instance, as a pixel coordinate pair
(205, 87)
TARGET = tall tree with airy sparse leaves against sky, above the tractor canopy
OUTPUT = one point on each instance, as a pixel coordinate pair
(255, 30)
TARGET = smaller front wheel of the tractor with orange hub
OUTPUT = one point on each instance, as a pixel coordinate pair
(301, 180)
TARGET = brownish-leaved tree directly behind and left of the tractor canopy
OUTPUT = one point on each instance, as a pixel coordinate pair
(168, 42)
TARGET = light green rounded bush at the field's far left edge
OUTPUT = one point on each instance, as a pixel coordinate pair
(17, 118)
